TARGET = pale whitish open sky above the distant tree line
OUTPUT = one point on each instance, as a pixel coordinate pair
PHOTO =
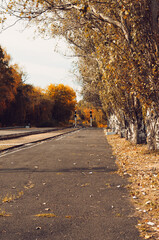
(38, 58)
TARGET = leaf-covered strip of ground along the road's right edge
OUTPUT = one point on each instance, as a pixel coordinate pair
(142, 167)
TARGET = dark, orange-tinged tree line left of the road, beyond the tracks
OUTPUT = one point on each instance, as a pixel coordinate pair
(22, 104)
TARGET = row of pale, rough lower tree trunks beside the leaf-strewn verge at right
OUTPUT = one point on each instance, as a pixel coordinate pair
(138, 130)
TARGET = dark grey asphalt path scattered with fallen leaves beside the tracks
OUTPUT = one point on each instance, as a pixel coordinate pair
(73, 180)
